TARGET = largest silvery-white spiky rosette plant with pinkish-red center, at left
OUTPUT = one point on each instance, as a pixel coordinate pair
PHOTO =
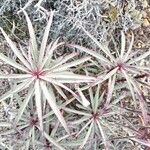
(39, 71)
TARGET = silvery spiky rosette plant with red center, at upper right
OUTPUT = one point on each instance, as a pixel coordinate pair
(124, 63)
